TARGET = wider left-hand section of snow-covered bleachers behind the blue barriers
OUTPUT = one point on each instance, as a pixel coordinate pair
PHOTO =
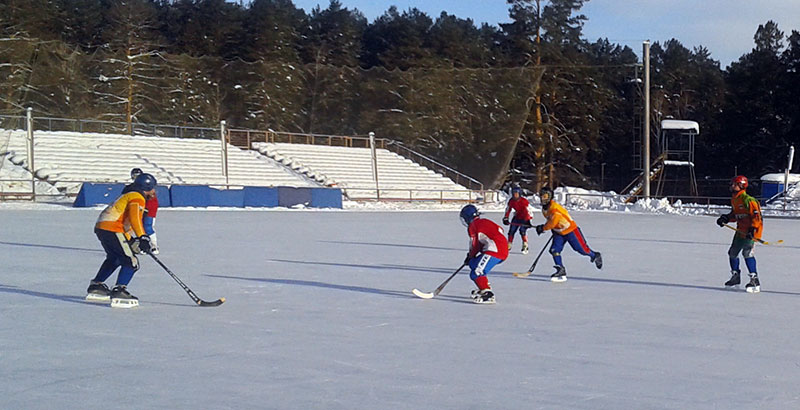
(67, 159)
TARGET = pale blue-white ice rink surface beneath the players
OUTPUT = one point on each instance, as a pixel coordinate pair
(319, 315)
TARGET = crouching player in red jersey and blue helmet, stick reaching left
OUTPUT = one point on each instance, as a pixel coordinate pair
(488, 248)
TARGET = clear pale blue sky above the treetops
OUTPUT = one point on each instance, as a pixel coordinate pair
(725, 27)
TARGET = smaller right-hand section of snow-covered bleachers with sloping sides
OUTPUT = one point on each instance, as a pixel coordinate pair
(350, 169)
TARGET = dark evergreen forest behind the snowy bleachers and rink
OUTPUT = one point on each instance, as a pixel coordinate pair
(531, 101)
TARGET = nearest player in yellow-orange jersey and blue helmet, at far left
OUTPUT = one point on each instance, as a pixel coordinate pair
(124, 215)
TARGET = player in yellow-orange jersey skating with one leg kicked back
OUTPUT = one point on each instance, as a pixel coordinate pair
(565, 230)
